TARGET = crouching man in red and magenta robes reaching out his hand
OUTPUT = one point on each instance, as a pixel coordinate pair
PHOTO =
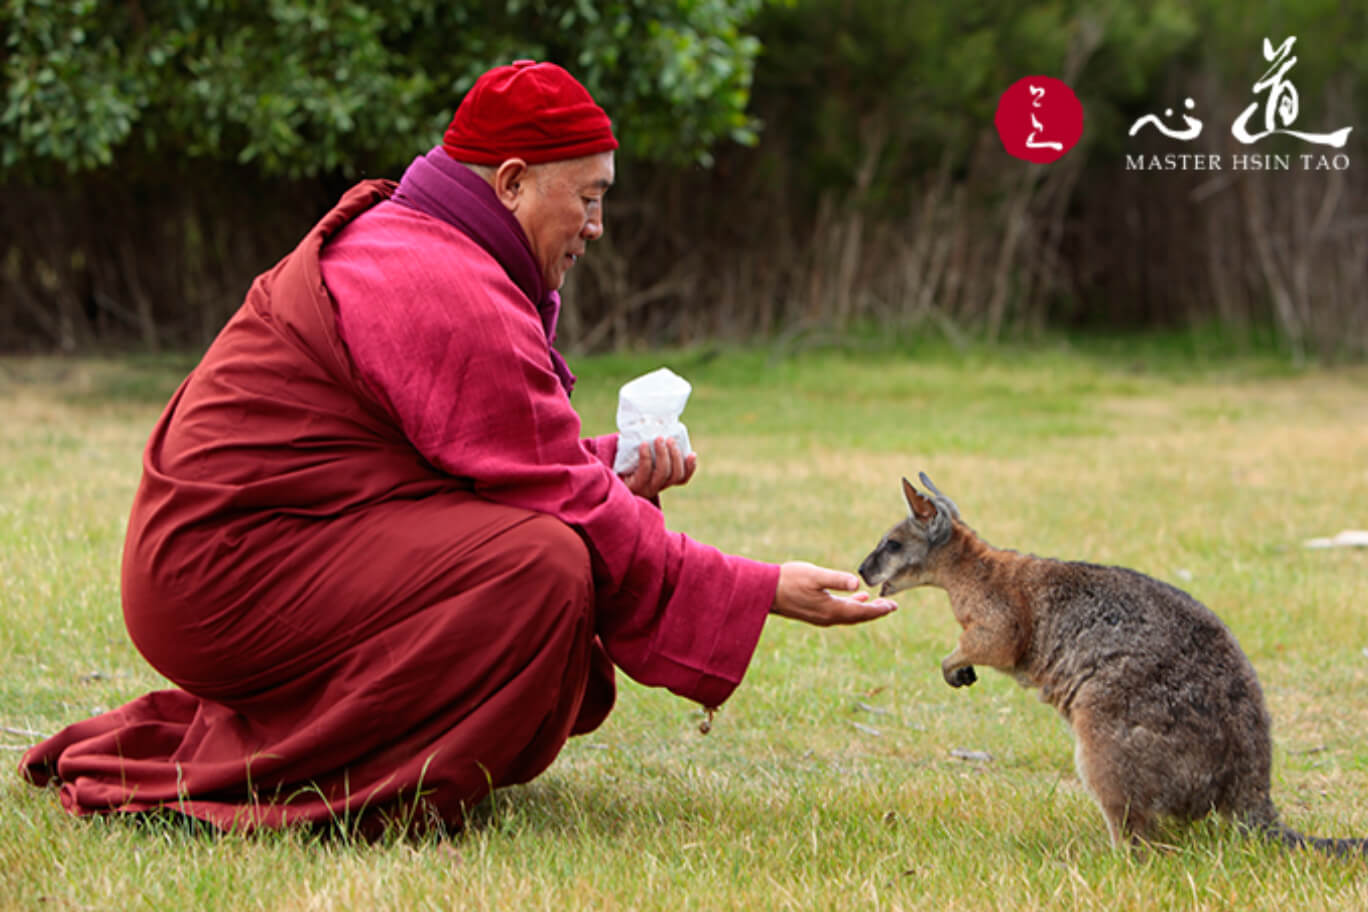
(370, 546)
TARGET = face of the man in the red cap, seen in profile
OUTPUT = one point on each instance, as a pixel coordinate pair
(562, 210)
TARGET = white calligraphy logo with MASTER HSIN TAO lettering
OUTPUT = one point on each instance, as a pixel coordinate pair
(1281, 107)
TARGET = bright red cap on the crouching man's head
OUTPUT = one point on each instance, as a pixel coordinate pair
(531, 111)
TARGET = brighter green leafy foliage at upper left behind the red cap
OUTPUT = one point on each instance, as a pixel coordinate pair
(310, 87)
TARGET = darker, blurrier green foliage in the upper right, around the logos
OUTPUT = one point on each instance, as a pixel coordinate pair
(910, 87)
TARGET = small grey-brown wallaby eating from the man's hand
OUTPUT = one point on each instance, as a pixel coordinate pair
(1168, 714)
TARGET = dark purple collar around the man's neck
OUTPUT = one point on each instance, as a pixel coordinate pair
(445, 189)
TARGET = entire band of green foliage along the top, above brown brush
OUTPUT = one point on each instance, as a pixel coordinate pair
(313, 87)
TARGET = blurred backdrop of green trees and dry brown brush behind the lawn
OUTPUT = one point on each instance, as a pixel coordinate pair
(158, 154)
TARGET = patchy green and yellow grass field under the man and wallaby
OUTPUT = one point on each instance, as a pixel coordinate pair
(843, 775)
